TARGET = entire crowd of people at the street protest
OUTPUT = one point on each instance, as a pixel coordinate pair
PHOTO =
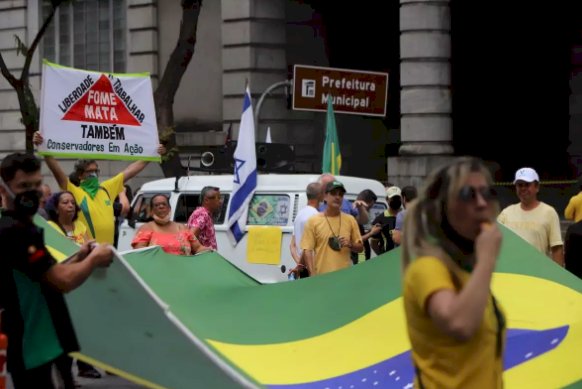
(448, 231)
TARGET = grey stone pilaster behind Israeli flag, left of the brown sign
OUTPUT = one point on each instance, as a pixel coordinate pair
(253, 49)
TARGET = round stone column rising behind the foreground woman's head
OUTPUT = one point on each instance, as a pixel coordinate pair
(426, 125)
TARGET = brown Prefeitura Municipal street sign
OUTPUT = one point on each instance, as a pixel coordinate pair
(355, 92)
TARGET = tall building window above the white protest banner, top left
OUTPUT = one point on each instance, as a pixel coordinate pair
(87, 34)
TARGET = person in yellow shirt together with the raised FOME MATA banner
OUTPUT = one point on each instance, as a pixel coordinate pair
(92, 115)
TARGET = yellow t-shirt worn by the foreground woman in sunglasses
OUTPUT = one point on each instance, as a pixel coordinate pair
(442, 361)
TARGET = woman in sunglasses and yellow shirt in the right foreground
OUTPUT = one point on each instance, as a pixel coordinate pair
(455, 325)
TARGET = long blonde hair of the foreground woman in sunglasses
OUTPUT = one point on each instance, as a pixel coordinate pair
(423, 222)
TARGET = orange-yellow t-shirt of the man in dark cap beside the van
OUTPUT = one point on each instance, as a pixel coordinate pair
(316, 234)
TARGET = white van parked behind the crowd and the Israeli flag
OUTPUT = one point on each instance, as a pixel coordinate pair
(281, 195)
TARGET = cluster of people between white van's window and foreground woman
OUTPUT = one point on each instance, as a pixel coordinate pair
(332, 233)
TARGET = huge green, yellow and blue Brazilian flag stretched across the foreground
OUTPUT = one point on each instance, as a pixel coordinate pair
(181, 322)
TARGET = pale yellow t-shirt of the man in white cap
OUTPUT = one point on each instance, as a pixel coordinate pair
(539, 226)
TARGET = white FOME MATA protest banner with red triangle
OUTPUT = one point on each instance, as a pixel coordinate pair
(88, 114)
